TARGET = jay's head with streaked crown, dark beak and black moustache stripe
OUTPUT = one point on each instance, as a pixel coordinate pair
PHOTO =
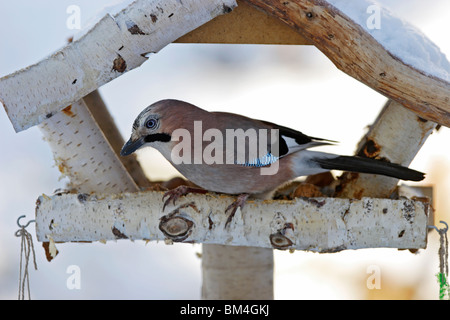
(153, 127)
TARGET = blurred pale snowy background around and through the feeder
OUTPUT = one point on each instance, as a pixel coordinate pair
(295, 86)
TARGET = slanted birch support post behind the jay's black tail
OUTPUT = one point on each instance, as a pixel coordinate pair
(396, 136)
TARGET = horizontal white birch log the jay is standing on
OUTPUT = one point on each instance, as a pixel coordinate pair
(314, 224)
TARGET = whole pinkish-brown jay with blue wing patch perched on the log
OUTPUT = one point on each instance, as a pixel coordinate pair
(201, 146)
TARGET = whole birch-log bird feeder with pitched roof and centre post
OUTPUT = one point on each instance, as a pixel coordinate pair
(109, 198)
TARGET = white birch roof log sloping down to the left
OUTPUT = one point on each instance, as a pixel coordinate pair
(112, 47)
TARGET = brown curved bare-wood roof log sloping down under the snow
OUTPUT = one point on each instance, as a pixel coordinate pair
(357, 53)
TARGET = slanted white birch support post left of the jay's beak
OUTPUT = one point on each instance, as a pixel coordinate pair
(83, 154)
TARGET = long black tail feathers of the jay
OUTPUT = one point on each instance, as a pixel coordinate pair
(366, 165)
